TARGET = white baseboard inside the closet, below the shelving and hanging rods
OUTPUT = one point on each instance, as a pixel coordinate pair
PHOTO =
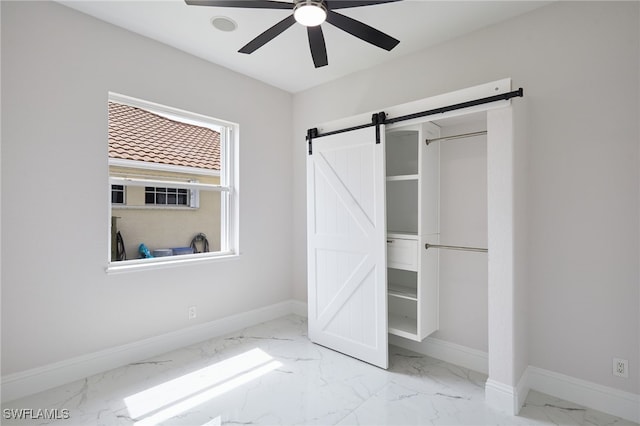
(463, 356)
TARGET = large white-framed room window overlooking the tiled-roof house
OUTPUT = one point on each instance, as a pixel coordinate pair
(172, 180)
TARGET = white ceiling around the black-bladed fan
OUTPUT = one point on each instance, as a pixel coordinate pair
(285, 61)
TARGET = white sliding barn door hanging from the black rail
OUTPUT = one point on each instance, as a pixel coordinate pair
(346, 234)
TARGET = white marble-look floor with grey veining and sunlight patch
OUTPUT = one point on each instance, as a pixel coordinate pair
(271, 374)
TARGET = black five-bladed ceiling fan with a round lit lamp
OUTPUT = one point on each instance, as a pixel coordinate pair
(310, 13)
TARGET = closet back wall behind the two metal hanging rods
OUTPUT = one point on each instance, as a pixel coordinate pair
(463, 221)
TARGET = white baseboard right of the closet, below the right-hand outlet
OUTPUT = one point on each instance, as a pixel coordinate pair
(602, 398)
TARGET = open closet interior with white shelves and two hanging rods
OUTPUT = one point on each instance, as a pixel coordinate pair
(436, 210)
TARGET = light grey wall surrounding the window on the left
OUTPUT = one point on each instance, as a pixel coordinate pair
(57, 68)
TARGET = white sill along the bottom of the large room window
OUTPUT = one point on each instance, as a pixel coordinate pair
(168, 262)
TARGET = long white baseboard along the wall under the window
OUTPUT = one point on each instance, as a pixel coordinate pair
(18, 385)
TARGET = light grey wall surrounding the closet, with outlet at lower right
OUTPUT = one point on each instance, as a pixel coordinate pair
(579, 65)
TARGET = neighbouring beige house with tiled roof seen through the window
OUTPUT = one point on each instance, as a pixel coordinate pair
(147, 153)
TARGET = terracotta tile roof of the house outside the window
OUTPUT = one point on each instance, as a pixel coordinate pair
(137, 134)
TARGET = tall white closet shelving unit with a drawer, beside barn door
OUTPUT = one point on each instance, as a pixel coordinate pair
(412, 193)
